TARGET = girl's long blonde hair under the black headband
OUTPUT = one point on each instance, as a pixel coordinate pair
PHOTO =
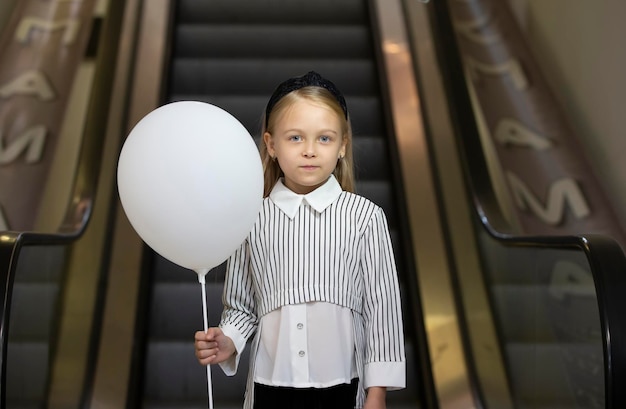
(344, 171)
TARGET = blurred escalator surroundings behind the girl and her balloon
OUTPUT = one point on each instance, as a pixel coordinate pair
(490, 131)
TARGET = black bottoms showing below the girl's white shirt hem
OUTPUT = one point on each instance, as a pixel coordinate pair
(336, 397)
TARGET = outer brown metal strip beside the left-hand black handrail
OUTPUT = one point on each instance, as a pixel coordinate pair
(78, 316)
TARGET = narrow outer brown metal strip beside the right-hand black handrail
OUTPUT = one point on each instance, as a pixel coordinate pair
(482, 338)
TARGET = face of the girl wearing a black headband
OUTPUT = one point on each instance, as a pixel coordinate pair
(307, 141)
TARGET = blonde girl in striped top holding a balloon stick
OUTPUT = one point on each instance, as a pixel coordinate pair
(315, 281)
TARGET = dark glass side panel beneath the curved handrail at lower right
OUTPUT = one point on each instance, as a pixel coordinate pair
(546, 309)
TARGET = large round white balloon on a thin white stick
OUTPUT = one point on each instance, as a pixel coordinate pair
(190, 181)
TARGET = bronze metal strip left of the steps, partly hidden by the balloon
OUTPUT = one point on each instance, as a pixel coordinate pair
(144, 47)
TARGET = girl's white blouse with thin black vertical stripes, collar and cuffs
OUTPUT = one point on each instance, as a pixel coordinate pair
(328, 246)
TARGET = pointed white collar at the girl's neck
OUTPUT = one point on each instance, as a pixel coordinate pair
(319, 199)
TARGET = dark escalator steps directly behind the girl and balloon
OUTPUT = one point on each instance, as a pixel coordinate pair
(233, 56)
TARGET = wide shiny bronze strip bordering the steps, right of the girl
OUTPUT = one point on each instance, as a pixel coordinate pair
(430, 252)
